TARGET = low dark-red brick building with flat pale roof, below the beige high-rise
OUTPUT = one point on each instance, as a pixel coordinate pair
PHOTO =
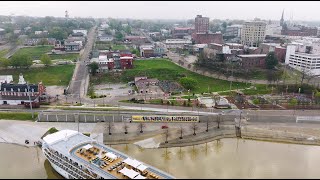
(252, 60)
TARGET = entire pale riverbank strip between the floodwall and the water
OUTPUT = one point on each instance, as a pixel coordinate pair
(16, 132)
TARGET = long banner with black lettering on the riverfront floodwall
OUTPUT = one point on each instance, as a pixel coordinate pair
(159, 118)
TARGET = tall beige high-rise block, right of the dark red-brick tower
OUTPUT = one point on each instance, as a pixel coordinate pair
(253, 33)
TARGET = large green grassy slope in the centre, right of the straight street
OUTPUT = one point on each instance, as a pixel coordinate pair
(166, 70)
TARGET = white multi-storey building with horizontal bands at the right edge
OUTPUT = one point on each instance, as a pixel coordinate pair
(303, 58)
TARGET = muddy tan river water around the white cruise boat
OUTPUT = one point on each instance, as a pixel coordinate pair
(226, 158)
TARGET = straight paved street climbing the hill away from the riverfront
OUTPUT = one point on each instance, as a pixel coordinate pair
(79, 83)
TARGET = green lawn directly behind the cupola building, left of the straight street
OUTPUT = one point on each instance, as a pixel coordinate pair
(53, 75)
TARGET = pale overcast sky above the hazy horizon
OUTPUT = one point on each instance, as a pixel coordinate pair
(246, 10)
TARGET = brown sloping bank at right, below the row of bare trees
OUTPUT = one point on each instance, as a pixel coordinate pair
(298, 134)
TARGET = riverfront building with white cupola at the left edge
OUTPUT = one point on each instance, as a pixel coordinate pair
(18, 94)
